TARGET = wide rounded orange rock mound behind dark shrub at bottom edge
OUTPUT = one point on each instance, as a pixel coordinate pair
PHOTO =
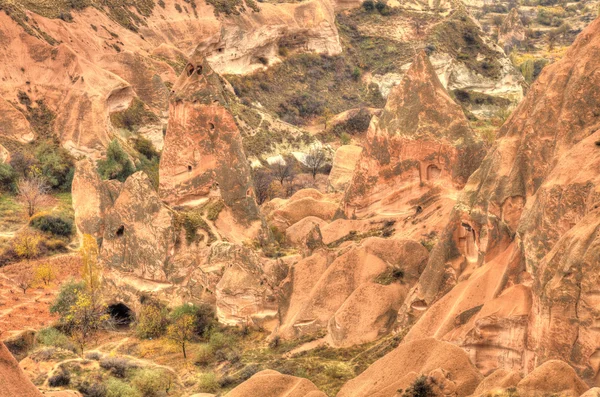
(449, 365)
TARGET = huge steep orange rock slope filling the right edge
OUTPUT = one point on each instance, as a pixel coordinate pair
(513, 278)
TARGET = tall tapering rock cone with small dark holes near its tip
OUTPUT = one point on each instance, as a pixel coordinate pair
(203, 154)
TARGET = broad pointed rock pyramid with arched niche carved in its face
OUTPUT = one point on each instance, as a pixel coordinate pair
(419, 152)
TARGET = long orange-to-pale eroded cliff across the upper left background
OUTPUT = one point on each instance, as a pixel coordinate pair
(92, 66)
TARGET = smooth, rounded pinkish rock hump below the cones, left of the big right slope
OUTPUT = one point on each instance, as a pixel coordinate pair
(356, 295)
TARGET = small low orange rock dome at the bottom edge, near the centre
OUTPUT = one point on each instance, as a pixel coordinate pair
(271, 383)
